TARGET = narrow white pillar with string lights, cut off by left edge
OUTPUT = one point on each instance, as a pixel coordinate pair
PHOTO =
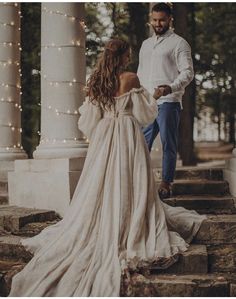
(10, 83)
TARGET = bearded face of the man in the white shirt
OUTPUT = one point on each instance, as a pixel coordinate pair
(160, 22)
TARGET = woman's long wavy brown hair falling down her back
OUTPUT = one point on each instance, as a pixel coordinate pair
(104, 81)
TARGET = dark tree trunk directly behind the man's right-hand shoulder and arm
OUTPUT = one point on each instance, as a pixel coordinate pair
(184, 25)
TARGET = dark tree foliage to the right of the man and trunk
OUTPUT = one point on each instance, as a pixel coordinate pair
(215, 60)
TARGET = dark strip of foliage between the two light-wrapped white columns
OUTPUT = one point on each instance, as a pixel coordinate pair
(30, 65)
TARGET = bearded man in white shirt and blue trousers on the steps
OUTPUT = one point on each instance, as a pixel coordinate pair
(165, 63)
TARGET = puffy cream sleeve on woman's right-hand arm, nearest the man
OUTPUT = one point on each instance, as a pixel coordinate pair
(144, 106)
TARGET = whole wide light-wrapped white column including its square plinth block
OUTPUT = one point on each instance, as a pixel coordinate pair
(60, 156)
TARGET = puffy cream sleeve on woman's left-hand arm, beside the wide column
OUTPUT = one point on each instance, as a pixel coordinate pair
(90, 115)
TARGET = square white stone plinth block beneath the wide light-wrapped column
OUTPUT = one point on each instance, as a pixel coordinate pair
(44, 184)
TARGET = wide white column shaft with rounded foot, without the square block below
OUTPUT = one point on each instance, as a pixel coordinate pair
(63, 73)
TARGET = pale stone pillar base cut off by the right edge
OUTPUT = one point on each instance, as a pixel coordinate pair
(230, 173)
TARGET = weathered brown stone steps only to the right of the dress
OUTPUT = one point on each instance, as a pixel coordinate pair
(208, 268)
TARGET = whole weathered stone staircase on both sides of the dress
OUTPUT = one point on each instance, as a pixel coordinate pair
(206, 269)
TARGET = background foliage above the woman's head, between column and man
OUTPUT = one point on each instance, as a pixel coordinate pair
(115, 20)
